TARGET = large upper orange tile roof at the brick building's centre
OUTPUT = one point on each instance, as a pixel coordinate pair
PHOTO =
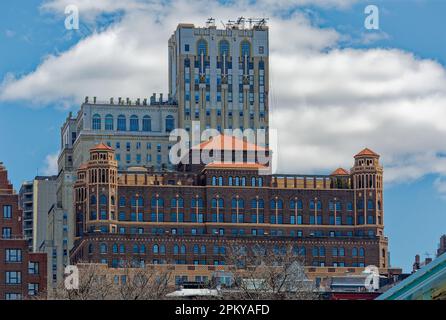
(224, 142)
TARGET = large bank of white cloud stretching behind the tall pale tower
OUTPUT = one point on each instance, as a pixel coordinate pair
(326, 102)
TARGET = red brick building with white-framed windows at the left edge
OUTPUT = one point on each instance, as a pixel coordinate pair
(22, 273)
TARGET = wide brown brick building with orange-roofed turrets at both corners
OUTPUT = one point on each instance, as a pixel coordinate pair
(191, 217)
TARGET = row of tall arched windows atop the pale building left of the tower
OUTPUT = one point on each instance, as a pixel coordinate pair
(121, 123)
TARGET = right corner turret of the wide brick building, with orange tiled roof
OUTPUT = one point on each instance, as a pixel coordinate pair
(367, 176)
